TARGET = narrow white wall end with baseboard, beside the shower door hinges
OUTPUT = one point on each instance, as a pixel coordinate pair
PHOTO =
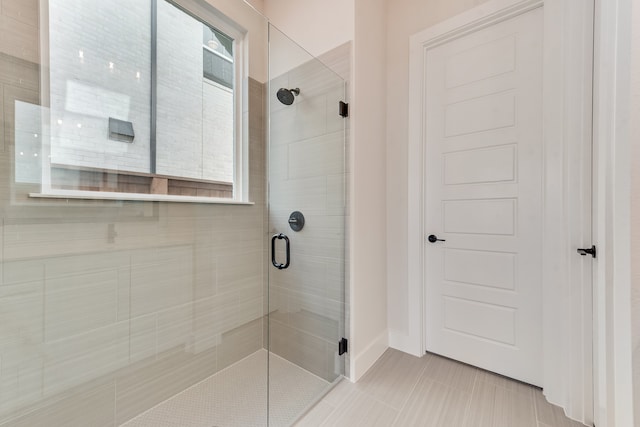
(368, 208)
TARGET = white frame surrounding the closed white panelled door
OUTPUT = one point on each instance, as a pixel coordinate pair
(567, 123)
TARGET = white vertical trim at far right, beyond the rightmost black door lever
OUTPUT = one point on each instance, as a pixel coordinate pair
(612, 296)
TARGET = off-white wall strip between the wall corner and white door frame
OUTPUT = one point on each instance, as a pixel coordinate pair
(405, 18)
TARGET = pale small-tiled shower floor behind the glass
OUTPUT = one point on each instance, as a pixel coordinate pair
(237, 396)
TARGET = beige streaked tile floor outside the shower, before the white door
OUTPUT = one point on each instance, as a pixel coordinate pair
(432, 391)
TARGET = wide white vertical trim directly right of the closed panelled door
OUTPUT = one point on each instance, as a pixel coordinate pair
(567, 287)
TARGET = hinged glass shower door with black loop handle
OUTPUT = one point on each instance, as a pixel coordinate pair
(306, 174)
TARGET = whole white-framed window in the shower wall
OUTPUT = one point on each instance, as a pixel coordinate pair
(144, 99)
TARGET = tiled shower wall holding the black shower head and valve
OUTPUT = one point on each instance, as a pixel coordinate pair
(307, 160)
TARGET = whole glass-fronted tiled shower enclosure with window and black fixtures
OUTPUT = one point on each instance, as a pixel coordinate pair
(172, 238)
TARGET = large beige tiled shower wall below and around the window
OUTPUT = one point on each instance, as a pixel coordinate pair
(108, 308)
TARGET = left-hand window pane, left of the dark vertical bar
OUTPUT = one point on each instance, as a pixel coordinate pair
(98, 73)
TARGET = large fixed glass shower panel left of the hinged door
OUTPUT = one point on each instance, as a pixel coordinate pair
(109, 308)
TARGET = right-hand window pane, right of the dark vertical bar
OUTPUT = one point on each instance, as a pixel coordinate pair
(195, 102)
